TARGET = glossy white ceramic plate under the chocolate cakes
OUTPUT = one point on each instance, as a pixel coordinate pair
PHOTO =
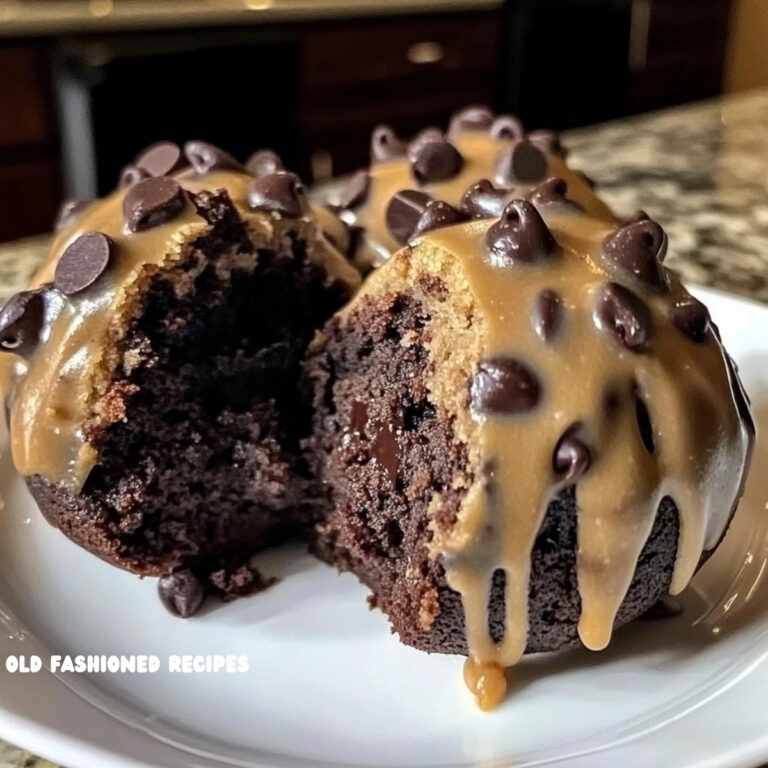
(328, 685)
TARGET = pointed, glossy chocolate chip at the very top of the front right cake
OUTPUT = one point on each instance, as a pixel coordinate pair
(519, 236)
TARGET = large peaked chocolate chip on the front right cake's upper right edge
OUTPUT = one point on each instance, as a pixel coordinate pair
(638, 250)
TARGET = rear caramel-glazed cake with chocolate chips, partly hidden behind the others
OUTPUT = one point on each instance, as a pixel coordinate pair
(483, 162)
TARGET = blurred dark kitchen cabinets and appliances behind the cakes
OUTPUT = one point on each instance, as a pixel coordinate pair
(85, 84)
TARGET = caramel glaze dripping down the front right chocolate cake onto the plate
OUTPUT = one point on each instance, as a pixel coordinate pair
(664, 416)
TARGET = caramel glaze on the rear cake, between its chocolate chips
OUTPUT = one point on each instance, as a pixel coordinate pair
(481, 153)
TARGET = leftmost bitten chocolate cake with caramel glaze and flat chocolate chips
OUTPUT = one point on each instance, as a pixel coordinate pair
(151, 371)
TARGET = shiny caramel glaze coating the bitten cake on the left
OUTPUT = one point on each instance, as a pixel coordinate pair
(54, 396)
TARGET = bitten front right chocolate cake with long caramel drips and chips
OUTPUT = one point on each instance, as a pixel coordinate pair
(502, 389)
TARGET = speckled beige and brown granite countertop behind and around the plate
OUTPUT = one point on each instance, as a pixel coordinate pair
(701, 170)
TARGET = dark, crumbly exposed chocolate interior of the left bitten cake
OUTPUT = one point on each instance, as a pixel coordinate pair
(205, 468)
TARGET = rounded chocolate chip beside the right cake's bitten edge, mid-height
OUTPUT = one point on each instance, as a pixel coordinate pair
(504, 385)
